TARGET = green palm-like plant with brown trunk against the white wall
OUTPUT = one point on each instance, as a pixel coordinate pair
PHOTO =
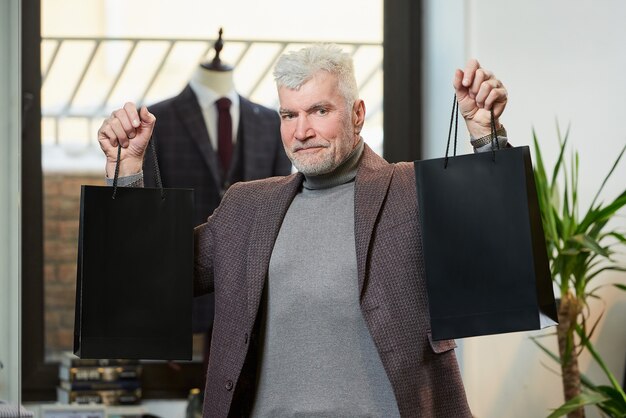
(579, 249)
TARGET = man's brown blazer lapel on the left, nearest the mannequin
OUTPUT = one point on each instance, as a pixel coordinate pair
(267, 222)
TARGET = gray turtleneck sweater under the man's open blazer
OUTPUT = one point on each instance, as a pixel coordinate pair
(318, 357)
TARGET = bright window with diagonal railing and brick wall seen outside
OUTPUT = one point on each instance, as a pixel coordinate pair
(112, 51)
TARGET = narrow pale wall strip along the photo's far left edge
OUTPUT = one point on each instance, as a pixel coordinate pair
(9, 200)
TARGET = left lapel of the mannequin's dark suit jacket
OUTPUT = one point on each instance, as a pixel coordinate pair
(189, 111)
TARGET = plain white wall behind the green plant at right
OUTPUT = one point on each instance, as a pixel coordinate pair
(560, 59)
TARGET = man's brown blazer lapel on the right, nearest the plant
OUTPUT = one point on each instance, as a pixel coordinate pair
(372, 183)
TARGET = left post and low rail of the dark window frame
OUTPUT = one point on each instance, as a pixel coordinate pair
(160, 380)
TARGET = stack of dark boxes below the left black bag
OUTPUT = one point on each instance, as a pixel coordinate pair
(100, 381)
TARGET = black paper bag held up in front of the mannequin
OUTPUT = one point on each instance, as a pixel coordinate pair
(135, 273)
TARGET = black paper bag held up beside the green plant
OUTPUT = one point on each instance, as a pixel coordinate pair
(484, 249)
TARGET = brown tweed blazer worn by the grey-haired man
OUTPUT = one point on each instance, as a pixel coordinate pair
(232, 256)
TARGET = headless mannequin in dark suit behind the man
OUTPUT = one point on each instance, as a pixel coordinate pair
(186, 148)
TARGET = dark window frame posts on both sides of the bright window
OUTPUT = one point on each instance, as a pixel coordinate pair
(402, 124)
